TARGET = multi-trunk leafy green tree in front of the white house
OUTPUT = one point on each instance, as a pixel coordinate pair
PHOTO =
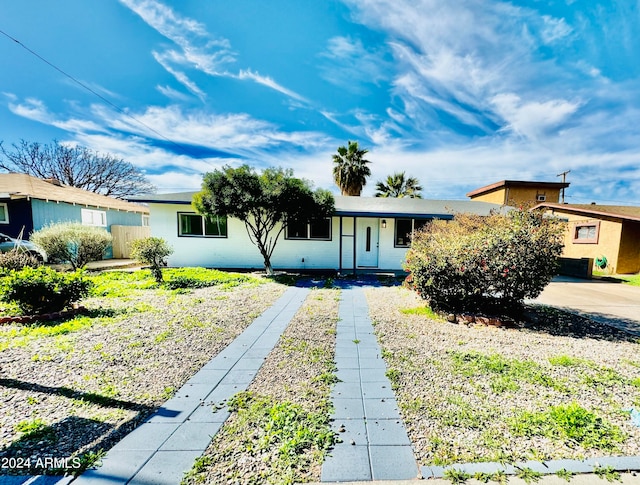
(264, 202)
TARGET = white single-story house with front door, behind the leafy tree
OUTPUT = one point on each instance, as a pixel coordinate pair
(365, 233)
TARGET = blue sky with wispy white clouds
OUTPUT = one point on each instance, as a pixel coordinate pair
(459, 94)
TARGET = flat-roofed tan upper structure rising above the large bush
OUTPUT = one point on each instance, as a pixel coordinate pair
(519, 192)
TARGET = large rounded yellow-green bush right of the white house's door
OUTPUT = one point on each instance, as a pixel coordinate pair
(489, 264)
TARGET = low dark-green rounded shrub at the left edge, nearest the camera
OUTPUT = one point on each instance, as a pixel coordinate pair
(44, 290)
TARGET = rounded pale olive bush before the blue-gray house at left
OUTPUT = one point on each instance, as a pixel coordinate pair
(73, 243)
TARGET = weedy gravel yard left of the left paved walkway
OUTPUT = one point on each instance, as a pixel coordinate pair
(73, 388)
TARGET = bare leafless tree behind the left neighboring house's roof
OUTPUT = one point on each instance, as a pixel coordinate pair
(76, 166)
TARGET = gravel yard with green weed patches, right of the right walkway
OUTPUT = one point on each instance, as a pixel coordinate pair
(557, 386)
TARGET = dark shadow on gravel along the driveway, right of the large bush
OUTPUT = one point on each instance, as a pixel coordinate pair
(556, 321)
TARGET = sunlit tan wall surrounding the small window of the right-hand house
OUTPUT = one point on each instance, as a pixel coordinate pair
(608, 240)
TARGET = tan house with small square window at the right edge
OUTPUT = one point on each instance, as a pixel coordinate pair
(596, 231)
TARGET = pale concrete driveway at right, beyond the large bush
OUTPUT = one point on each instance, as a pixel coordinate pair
(614, 304)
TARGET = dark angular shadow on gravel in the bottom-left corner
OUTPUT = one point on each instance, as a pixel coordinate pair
(73, 436)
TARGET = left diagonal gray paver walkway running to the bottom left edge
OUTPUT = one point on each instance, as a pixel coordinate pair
(165, 446)
